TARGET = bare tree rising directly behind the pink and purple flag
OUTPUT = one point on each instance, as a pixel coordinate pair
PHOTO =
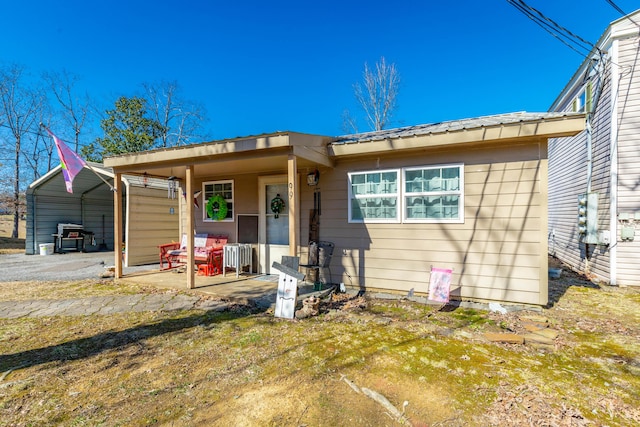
(75, 109)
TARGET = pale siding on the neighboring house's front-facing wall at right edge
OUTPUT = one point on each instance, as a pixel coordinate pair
(628, 265)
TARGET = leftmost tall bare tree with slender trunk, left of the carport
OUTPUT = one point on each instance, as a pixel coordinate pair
(19, 106)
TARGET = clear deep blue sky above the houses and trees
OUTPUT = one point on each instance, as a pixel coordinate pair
(261, 67)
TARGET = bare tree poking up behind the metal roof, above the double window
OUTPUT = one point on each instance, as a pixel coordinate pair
(378, 94)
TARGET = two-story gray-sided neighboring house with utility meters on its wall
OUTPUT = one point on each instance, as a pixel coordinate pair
(594, 177)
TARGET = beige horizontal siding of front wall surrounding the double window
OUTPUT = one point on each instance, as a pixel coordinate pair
(495, 253)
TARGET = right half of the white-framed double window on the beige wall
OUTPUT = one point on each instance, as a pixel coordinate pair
(433, 194)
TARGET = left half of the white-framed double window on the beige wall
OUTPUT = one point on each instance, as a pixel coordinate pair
(374, 196)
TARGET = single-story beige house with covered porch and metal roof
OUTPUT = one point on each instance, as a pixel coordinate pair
(470, 195)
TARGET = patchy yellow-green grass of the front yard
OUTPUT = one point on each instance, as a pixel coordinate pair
(246, 368)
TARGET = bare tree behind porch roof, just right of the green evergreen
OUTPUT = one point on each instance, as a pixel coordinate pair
(180, 119)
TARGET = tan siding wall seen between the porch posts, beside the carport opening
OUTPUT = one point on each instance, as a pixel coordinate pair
(149, 224)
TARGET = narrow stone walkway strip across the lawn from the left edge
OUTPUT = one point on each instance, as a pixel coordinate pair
(107, 305)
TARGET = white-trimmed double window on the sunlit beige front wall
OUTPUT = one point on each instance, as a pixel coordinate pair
(424, 194)
